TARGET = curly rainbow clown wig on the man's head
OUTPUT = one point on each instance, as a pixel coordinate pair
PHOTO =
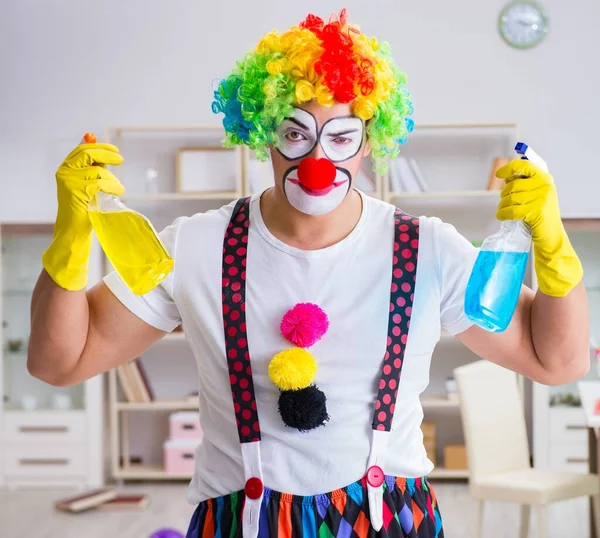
(330, 63)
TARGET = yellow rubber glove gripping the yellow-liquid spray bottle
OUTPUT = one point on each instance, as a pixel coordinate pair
(78, 179)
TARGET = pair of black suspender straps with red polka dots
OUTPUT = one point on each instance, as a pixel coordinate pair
(406, 246)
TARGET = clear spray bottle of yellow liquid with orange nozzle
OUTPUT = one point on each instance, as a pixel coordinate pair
(129, 240)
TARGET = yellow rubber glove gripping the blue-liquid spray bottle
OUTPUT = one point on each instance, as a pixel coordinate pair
(530, 195)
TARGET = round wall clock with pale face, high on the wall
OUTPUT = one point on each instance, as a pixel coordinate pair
(523, 24)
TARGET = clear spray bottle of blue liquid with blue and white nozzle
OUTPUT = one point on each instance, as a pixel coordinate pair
(495, 283)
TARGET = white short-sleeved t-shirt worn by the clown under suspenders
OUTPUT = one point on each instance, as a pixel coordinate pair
(350, 281)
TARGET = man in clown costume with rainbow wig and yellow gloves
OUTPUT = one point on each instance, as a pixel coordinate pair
(312, 309)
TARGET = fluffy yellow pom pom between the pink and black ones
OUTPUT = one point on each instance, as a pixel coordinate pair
(293, 369)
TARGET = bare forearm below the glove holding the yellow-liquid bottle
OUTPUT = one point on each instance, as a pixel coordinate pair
(59, 329)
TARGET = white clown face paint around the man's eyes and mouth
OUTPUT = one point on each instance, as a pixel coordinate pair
(340, 138)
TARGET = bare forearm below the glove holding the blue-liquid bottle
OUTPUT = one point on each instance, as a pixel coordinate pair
(560, 331)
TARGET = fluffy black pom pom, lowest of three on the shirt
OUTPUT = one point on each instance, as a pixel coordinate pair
(303, 409)
